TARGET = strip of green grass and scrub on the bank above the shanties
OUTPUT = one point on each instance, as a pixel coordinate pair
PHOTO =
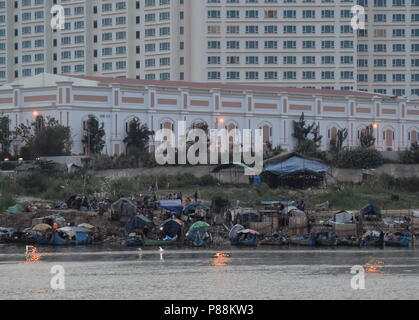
(384, 191)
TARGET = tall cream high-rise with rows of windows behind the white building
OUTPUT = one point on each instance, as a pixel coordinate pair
(298, 43)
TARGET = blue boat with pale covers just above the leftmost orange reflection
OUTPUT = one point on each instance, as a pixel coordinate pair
(64, 236)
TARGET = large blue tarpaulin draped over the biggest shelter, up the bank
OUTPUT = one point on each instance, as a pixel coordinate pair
(296, 164)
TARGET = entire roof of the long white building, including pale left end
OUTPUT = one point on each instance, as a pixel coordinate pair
(49, 80)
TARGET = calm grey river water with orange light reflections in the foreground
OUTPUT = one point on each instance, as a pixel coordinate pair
(189, 274)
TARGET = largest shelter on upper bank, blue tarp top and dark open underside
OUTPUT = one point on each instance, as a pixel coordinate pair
(294, 170)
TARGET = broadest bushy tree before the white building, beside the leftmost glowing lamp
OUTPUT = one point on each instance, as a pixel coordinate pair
(44, 138)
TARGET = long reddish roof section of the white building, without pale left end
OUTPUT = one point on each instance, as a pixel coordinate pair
(212, 85)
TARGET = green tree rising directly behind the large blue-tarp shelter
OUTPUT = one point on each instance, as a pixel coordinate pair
(307, 135)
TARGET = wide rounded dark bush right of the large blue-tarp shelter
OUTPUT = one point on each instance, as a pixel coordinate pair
(358, 158)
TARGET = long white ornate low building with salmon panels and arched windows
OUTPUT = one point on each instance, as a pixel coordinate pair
(161, 104)
